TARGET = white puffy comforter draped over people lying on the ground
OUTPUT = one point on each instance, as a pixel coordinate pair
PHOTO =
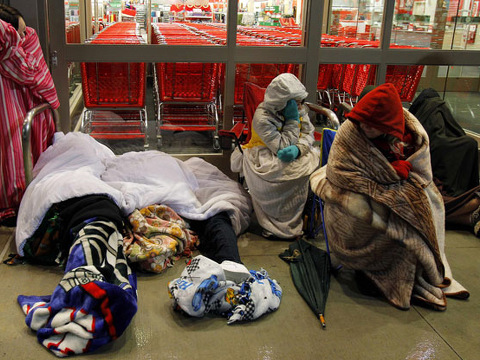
(77, 165)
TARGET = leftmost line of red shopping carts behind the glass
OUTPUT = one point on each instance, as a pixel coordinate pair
(114, 93)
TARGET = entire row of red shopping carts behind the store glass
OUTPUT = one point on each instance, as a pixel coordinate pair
(188, 96)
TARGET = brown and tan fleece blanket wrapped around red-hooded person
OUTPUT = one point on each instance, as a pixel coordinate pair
(391, 229)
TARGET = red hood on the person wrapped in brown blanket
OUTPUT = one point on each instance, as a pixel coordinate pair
(381, 109)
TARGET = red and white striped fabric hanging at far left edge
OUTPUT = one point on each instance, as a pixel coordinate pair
(25, 82)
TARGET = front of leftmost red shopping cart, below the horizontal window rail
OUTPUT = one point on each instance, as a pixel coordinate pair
(114, 104)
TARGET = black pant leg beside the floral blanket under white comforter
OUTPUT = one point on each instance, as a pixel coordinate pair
(218, 241)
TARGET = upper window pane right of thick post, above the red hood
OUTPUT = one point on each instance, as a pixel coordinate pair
(354, 23)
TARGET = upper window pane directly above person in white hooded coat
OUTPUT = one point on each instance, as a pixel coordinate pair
(269, 23)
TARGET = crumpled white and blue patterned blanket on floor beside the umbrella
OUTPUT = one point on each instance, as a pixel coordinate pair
(205, 287)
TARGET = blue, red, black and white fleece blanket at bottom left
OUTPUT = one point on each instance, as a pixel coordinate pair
(94, 302)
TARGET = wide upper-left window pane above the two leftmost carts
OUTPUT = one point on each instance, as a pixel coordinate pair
(163, 22)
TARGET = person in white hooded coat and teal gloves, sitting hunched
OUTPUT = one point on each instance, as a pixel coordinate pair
(279, 158)
